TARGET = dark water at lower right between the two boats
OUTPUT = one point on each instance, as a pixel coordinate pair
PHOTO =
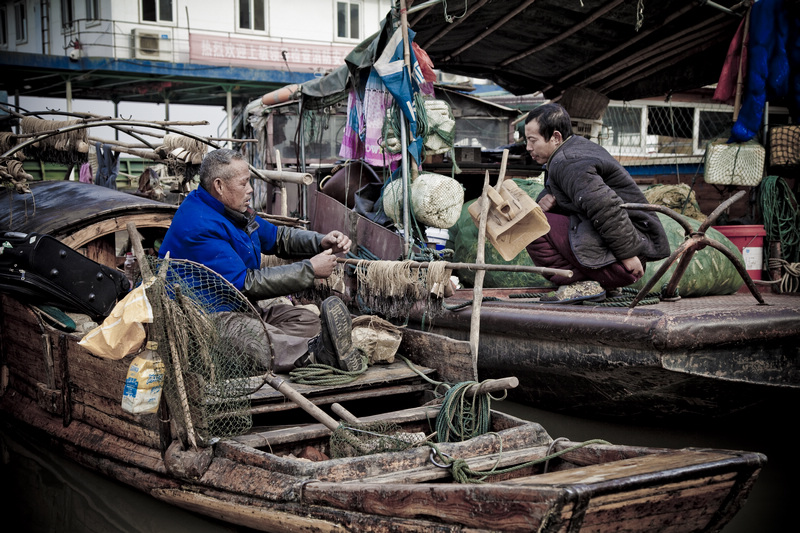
(770, 506)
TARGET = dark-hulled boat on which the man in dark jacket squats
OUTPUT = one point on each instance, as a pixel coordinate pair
(693, 358)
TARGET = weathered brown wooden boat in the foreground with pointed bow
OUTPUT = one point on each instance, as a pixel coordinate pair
(71, 399)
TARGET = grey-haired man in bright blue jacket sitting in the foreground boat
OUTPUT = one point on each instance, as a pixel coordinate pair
(215, 226)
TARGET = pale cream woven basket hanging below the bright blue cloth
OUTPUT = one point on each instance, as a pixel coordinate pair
(734, 163)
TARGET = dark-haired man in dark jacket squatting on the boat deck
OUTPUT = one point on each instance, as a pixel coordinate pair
(605, 245)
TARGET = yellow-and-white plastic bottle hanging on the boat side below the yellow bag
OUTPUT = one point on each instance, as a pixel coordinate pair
(144, 382)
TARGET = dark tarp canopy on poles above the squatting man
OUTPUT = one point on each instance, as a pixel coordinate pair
(623, 49)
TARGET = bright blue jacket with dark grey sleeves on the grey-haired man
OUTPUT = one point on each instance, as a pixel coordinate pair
(202, 231)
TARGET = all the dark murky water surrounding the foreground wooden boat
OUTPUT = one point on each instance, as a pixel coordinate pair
(46, 493)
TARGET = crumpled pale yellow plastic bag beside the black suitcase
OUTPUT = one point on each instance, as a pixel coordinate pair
(122, 332)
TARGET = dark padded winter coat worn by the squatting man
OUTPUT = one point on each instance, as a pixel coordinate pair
(590, 186)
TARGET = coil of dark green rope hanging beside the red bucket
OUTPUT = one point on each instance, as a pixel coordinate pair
(781, 217)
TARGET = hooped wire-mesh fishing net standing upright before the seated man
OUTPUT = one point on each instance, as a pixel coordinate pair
(214, 346)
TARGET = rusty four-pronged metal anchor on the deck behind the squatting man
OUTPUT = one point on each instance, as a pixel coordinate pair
(695, 240)
